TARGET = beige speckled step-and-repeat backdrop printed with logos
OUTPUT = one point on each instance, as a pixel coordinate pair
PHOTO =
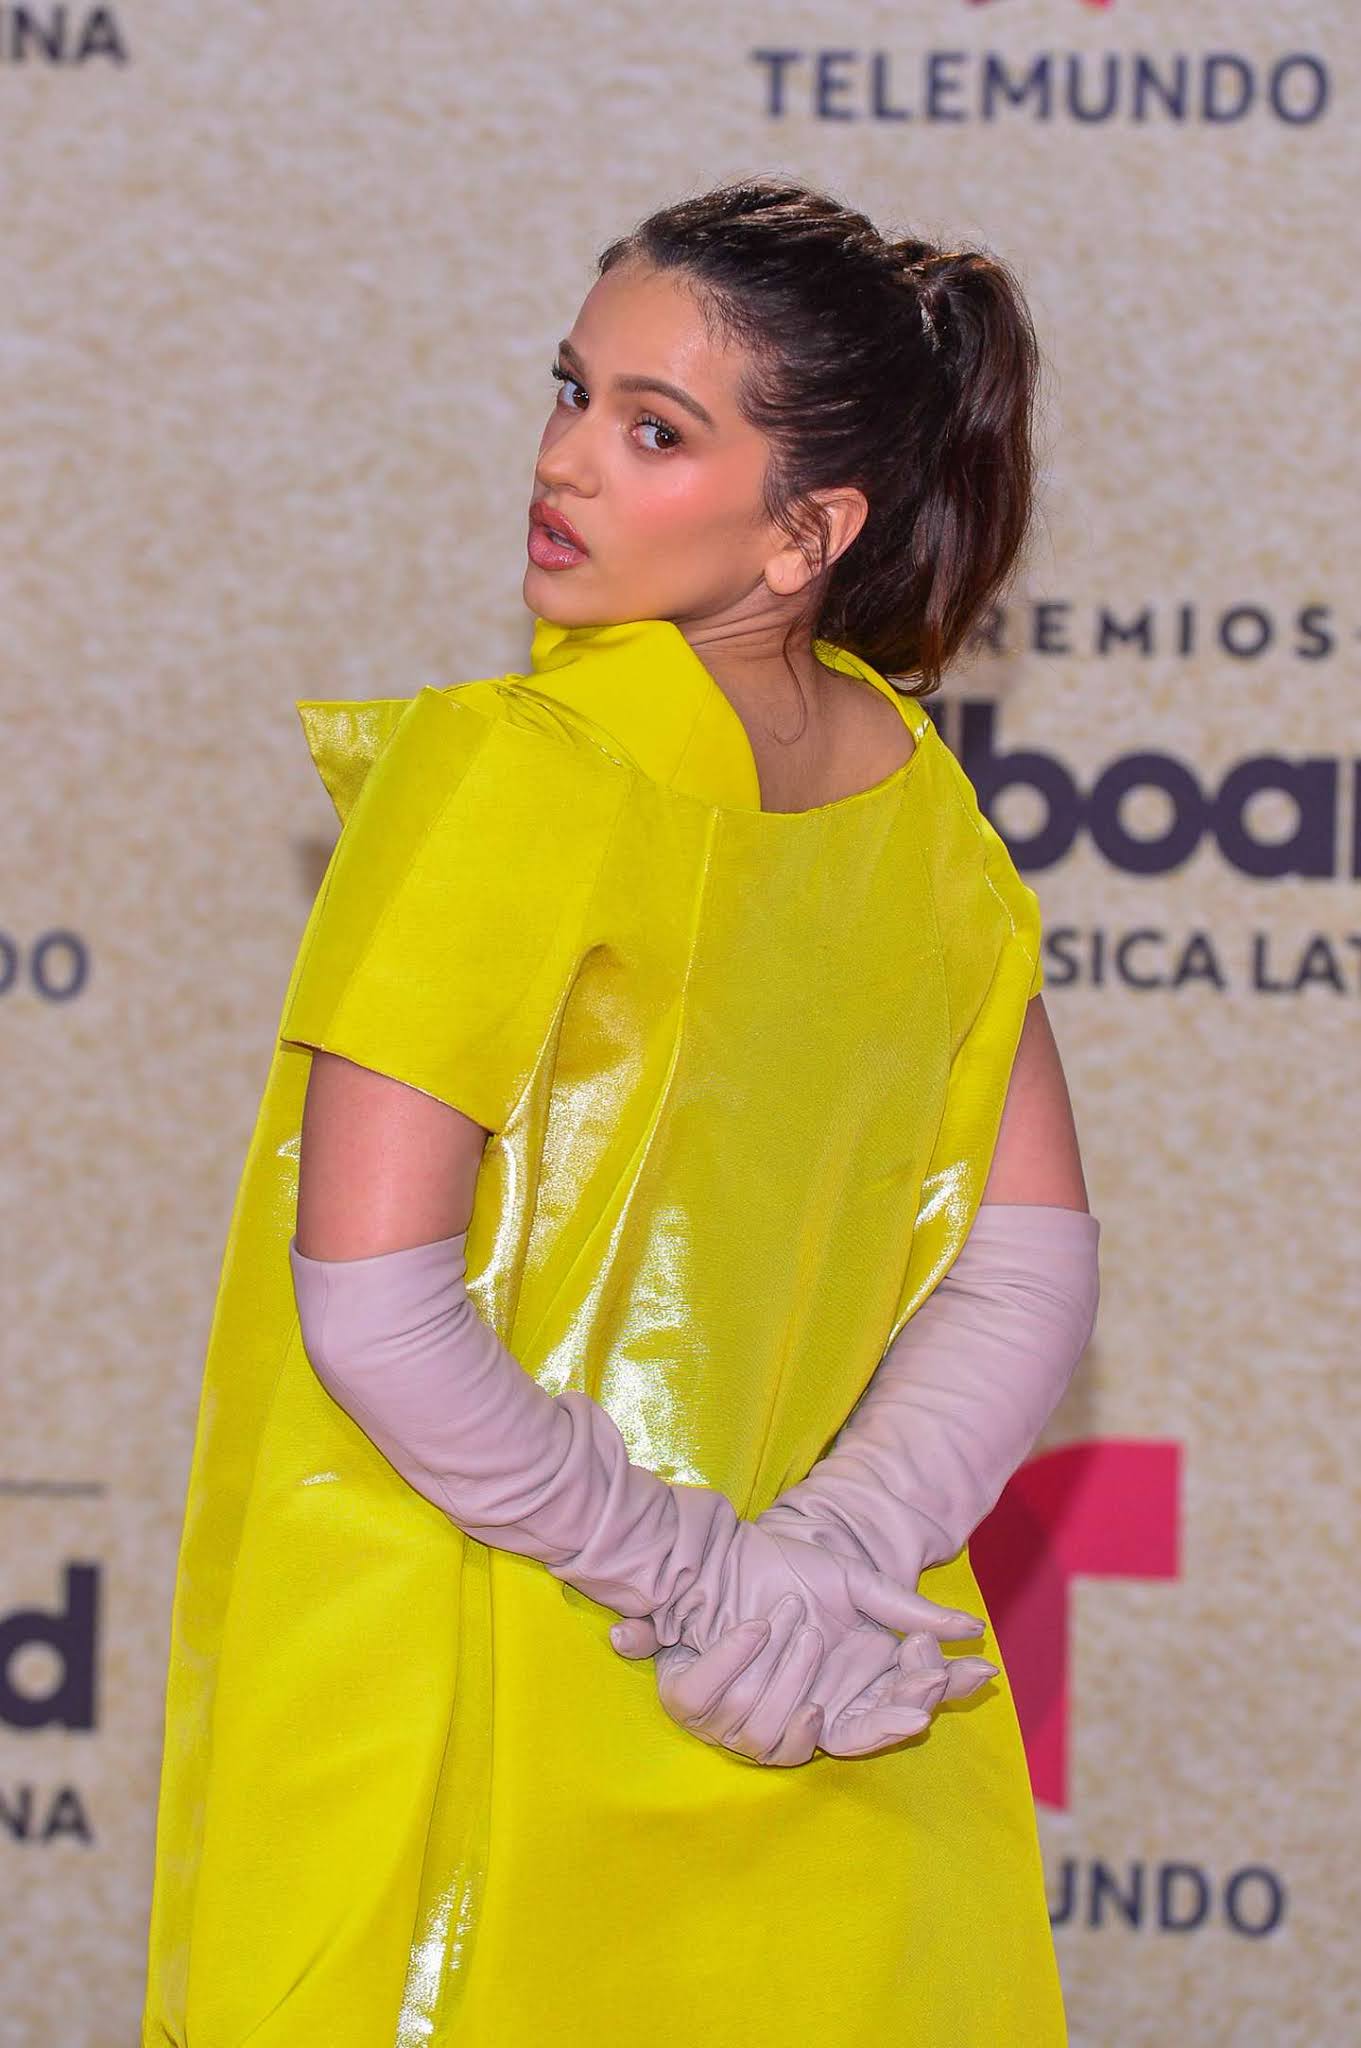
(279, 294)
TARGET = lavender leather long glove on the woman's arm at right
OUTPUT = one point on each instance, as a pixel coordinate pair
(953, 1410)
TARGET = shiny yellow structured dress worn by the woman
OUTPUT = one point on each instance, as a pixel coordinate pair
(744, 1074)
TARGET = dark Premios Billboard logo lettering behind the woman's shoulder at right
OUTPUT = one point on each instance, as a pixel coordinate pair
(1266, 818)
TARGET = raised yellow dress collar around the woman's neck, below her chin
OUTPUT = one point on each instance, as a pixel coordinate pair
(648, 691)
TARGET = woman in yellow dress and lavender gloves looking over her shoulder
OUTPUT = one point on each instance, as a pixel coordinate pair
(599, 1258)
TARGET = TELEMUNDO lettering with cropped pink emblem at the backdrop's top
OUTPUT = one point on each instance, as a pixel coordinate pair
(1086, 87)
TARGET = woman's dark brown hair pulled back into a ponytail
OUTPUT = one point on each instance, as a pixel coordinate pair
(899, 368)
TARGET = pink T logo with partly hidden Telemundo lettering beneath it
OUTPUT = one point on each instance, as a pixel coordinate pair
(1098, 1510)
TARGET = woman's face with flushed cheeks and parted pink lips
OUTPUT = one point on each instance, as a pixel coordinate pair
(666, 497)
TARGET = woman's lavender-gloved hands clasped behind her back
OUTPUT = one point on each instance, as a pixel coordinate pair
(816, 1662)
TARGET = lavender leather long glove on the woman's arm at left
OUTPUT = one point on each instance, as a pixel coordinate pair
(402, 1349)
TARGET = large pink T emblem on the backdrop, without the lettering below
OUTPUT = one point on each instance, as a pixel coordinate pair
(1104, 1510)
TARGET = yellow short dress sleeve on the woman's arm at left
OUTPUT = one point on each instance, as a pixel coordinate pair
(449, 923)
